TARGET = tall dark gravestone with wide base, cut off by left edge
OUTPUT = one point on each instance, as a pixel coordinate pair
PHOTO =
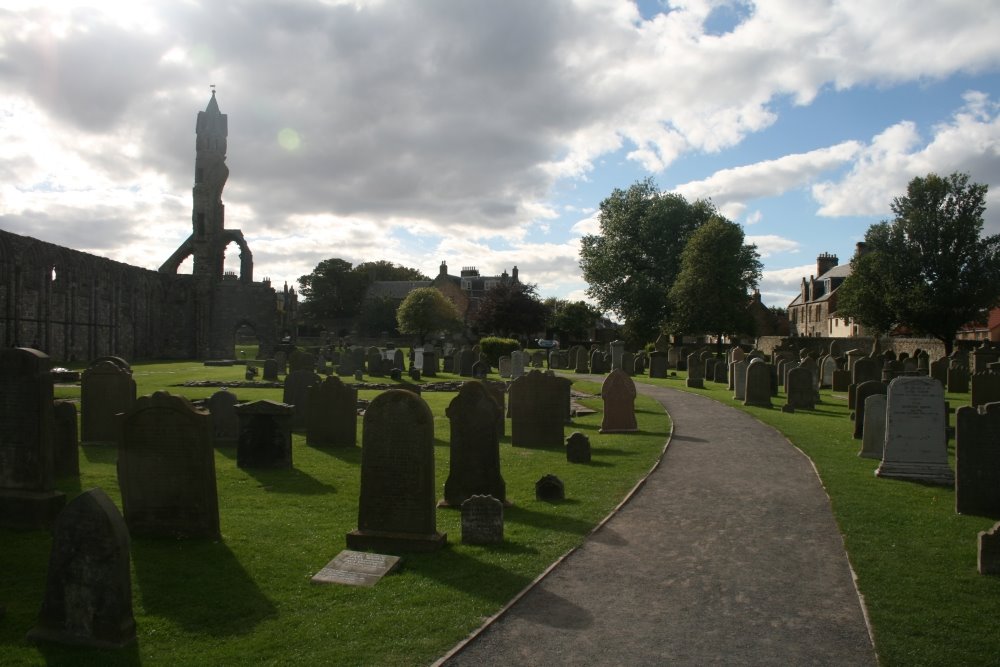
(28, 498)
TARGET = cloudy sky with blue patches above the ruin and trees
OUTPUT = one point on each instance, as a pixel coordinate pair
(485, 134)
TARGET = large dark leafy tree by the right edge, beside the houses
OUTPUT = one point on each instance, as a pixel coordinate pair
(930, 268)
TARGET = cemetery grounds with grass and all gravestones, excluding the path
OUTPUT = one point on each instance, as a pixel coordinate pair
(229, 507)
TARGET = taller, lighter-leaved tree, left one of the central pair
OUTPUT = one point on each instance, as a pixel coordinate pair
(631, 265)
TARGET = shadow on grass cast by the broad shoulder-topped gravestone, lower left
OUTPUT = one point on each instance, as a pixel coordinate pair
(199, 585)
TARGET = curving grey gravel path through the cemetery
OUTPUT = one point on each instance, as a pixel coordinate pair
(727, 555)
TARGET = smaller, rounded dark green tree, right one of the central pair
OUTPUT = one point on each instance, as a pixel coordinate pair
(712, 290)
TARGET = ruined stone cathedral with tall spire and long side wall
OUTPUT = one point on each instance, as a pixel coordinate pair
(75, 306)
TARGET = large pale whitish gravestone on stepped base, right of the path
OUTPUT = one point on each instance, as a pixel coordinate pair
(915, 441)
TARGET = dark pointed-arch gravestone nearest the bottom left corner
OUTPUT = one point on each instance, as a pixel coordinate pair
(88, 591)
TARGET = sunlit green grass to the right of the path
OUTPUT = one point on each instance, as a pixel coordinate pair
(914, 557)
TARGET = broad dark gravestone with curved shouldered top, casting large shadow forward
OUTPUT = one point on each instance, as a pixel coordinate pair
(166, 469)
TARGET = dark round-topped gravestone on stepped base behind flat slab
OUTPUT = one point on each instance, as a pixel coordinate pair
(396, 510)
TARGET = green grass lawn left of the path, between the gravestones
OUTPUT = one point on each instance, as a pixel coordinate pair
(249, 598)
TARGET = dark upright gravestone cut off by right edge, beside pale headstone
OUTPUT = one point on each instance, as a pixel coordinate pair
(977, 460)
